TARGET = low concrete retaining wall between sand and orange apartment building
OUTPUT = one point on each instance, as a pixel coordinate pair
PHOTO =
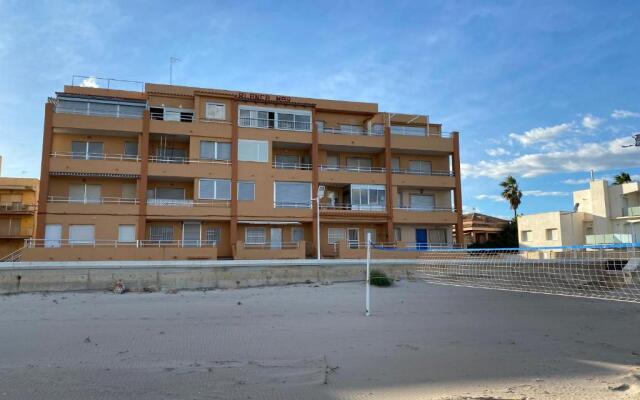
(24, 277)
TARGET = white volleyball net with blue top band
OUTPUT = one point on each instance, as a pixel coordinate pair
(604, 271)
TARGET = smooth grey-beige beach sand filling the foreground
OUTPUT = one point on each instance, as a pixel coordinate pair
(423, 341)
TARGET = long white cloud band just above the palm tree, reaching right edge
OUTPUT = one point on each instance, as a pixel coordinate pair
(583, 157)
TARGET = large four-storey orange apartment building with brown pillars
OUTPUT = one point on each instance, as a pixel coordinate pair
(182, 172)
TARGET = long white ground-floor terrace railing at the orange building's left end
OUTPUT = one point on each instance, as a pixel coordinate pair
(56, 243)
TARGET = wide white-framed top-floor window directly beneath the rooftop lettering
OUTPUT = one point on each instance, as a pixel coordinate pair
(256, 117)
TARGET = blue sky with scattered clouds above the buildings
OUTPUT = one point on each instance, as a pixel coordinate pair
(543, 90)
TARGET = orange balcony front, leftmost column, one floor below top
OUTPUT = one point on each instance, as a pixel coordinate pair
(96, 163)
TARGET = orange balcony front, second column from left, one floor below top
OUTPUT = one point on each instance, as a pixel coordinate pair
(189, 168)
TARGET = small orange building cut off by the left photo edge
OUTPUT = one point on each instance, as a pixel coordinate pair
(18, 197)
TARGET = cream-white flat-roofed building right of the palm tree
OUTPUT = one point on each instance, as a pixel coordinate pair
(604, 214)
